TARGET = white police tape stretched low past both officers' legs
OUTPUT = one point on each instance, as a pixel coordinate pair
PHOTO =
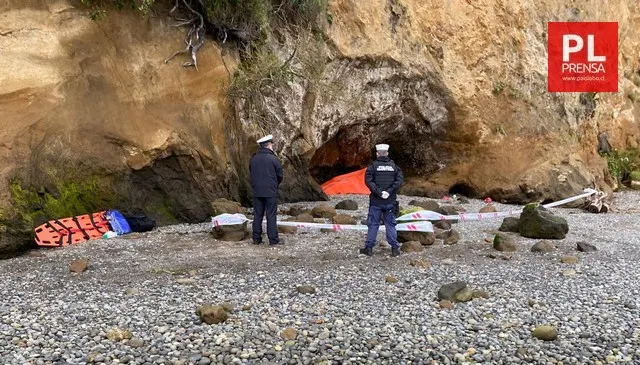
(231, 219)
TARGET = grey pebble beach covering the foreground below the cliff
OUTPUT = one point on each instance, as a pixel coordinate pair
(136, 303)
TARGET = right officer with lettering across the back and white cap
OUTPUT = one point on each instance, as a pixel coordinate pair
(383, 177)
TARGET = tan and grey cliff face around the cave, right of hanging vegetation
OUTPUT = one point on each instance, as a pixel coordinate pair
(458, 89)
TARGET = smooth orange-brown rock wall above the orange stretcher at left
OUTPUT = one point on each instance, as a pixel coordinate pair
(94, 99)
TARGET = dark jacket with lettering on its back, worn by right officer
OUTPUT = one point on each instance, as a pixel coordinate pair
(383, 175)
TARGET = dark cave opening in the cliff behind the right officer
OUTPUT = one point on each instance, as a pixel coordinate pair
(353, 148)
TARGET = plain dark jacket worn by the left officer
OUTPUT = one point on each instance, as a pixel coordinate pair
(266, 173)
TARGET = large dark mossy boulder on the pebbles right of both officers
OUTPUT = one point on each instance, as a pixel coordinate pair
(538, 222)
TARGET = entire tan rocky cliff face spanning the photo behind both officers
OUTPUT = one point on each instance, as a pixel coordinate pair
(457, 88)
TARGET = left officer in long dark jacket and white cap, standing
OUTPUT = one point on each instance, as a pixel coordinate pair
(266, 176)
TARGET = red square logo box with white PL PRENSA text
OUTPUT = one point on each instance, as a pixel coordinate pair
(583, 57)
